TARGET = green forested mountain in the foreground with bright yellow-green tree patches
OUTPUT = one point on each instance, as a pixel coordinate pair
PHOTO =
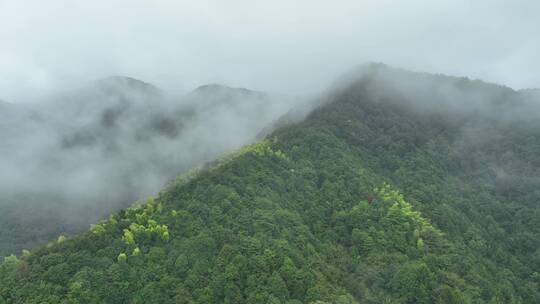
(400, 187)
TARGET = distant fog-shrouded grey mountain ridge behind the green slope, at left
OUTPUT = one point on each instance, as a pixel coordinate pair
(89, 152)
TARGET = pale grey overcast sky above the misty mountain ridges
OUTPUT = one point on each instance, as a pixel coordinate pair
(292, 47)
